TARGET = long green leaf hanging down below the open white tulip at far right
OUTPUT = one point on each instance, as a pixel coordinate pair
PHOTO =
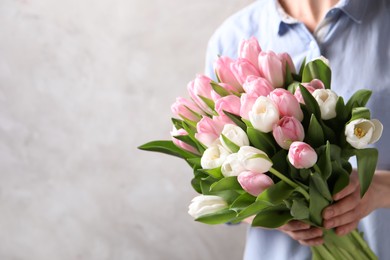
(366, 164)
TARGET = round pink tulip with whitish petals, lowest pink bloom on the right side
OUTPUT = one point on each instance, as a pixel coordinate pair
(301, 155)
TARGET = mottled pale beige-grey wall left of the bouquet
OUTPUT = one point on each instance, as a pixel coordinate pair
(82, 84)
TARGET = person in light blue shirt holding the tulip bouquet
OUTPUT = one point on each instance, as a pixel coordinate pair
(354, 36)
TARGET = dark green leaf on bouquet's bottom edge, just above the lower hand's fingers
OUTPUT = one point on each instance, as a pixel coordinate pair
(272, 217)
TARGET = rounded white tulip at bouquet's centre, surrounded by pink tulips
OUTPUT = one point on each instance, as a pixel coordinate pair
(264, 114)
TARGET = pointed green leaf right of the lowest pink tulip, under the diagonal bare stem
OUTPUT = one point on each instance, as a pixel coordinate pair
(276, 194)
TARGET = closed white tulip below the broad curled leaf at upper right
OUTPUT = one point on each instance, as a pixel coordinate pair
(327, 100)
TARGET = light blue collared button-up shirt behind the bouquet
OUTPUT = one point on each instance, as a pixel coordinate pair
(355, 37)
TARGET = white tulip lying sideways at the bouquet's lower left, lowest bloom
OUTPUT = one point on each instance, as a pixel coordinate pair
(206, 204)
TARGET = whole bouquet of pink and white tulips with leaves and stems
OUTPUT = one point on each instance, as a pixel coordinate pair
(266, 141)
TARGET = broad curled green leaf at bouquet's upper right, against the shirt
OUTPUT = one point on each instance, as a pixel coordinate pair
(317, 69)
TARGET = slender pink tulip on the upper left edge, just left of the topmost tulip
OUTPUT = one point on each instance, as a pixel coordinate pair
(222, 67)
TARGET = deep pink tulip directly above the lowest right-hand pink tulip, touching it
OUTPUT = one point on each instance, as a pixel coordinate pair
(288, 130)
